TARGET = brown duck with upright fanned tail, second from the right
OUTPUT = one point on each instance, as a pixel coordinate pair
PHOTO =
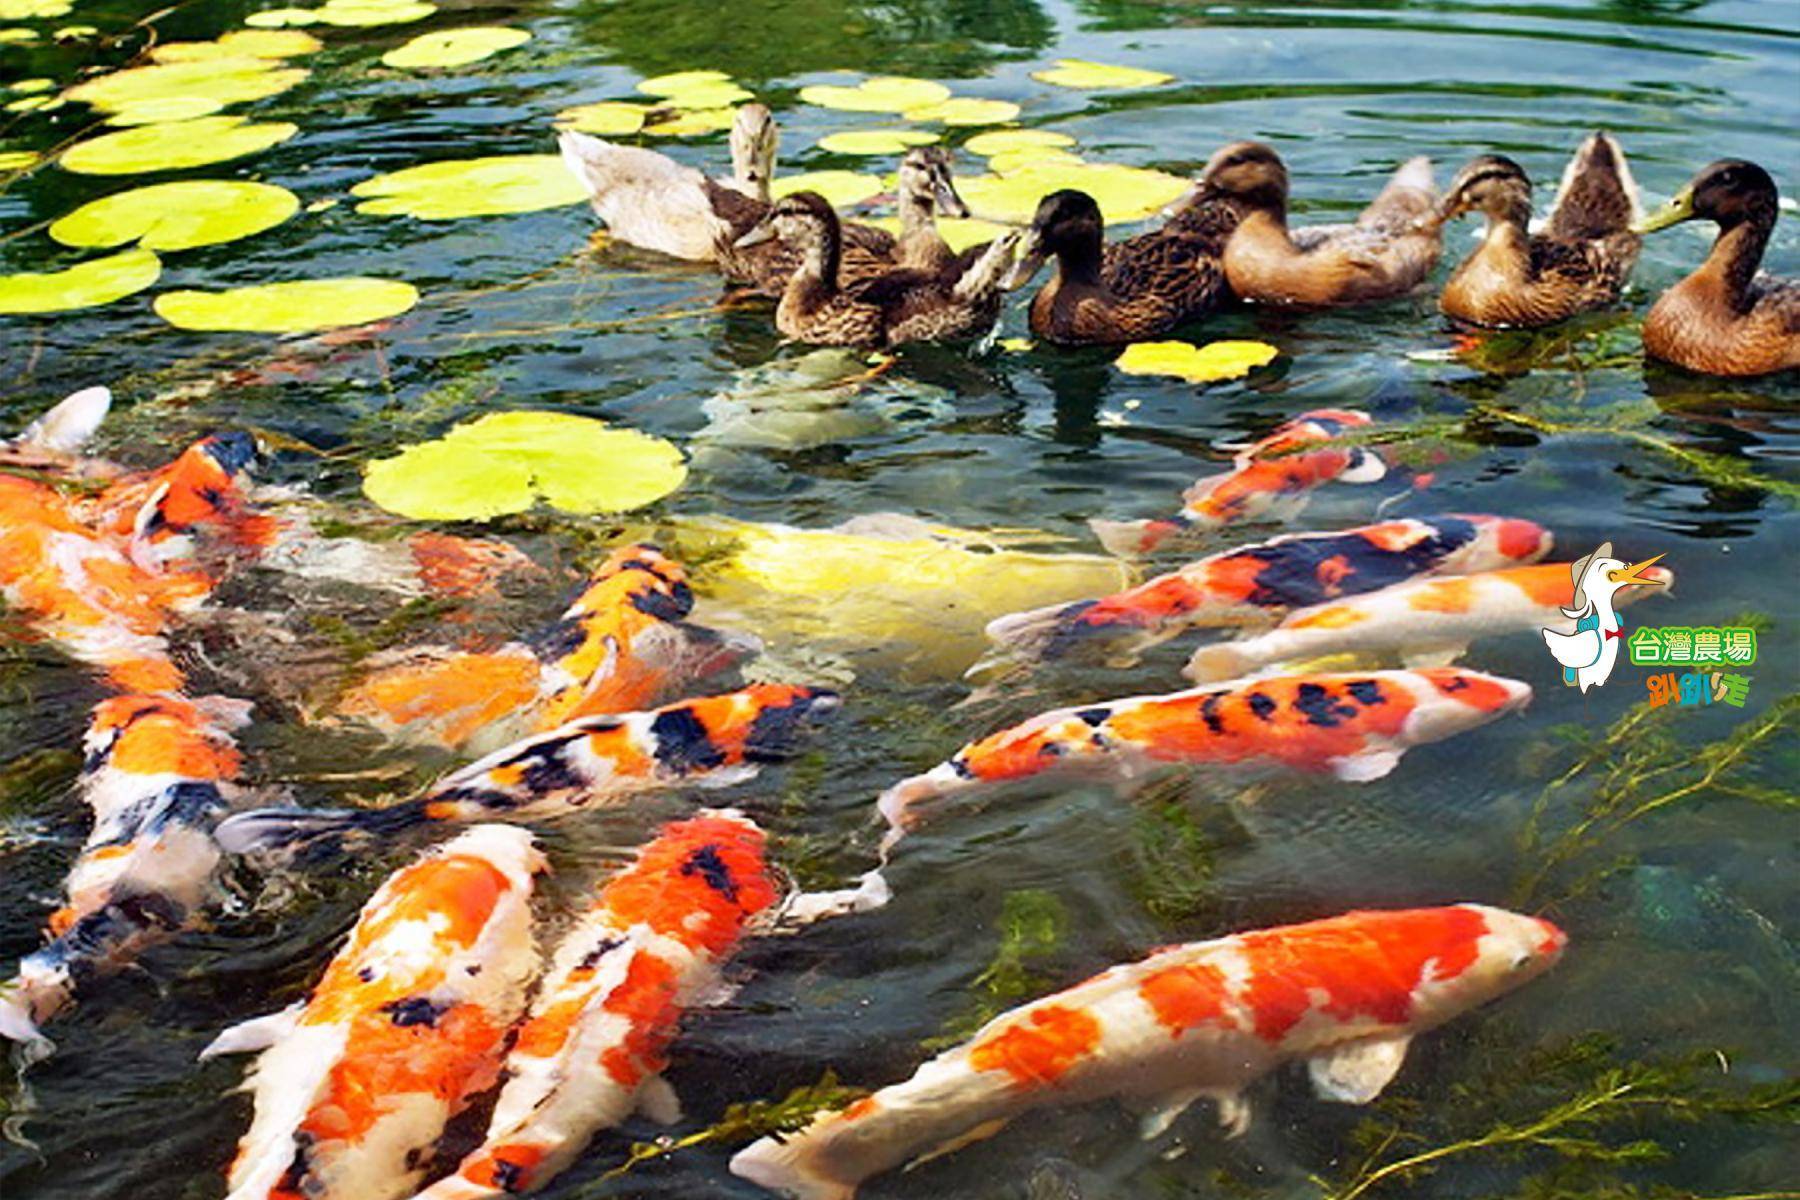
(1578, 262)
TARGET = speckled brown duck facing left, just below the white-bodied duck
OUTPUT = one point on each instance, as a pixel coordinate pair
(885, 310)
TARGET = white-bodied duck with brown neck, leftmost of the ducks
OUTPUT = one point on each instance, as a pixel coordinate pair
(654, 202)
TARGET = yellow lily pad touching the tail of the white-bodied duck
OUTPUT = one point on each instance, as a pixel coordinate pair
(440, 192)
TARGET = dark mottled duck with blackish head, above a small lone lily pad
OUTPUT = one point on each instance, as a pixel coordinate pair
(1128, 291)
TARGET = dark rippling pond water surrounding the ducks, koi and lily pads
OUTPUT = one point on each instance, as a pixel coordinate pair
(1686, 947)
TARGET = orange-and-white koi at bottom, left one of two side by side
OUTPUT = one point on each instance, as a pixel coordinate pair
(408, 1025)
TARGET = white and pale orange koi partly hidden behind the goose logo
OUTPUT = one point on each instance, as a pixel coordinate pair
(1425, 622)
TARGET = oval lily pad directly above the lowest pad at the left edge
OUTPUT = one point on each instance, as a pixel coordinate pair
(177, 217)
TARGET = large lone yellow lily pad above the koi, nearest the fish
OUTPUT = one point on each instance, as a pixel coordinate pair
(507, 461)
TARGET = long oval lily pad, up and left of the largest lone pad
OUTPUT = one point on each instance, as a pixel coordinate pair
(300, 307)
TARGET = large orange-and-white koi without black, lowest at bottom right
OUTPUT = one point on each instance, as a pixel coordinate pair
(1205, 1019)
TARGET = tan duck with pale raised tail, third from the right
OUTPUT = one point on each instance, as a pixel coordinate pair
(1387, 253)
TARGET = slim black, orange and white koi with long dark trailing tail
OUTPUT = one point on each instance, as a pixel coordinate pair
(714, 742)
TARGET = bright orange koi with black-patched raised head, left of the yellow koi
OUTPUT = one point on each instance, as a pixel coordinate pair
(624, 645)
